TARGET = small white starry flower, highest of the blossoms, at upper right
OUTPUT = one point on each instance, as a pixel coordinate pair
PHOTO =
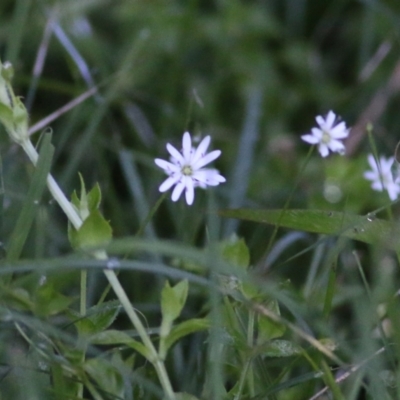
(328, 136)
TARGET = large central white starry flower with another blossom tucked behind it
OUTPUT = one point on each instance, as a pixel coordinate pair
(185, 169)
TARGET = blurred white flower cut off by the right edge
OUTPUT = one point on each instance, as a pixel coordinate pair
(382, 177)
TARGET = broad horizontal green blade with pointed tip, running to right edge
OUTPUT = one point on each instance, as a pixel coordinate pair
(366, 229)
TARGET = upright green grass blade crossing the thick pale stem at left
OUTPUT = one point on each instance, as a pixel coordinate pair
(29, 210)
